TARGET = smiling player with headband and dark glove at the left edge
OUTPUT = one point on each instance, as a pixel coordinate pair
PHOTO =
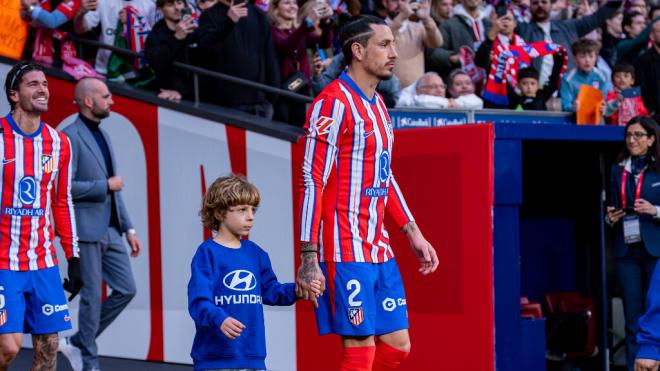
(35, 181)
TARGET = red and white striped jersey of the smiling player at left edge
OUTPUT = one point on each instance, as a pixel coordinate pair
(35, 179)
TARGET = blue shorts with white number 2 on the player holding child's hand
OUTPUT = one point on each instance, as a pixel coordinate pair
(362, 299)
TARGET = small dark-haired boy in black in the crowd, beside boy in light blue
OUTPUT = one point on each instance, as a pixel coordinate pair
(531, 97)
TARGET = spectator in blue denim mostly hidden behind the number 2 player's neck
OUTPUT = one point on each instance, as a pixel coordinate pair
(388, 89)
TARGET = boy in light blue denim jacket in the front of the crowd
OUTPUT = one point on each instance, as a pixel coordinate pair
(585, 73)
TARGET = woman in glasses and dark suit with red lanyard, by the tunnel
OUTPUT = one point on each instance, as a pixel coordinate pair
(634, 213)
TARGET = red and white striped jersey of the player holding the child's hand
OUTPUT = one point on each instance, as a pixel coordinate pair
(347, 184)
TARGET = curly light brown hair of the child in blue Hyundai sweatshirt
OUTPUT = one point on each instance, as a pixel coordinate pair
(224, 193)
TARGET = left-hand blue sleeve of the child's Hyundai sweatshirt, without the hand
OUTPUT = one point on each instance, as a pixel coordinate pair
(201, 307)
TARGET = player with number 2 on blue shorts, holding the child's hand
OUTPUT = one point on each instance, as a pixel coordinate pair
(347, 187)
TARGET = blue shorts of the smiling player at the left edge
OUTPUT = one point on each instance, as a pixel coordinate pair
(33, 302)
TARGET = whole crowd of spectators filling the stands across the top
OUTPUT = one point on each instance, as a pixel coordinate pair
(466, 54)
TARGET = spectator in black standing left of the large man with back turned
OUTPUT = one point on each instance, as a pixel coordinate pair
(169, 42)
